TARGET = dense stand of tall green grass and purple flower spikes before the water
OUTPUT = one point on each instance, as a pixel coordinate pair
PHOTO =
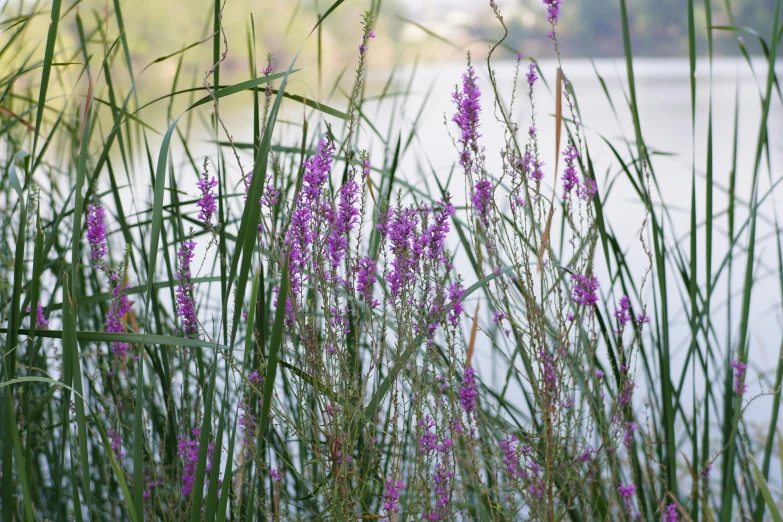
(306, 347)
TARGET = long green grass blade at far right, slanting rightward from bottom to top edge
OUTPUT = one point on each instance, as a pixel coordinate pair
(744, 334)
